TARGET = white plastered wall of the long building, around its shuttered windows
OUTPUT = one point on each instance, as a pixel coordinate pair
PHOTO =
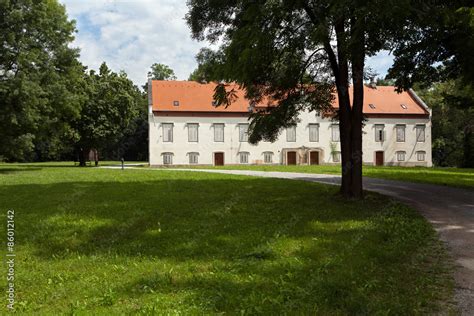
(231, 145)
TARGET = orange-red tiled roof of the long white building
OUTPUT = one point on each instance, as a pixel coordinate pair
(195, 97)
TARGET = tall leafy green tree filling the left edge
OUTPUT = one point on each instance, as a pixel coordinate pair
(40, 79)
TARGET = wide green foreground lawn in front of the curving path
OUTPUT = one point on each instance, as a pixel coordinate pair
(97, 241)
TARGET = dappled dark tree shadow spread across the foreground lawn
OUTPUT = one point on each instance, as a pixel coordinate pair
(237, 244)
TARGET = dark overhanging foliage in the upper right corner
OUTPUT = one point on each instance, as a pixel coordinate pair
(436, 46)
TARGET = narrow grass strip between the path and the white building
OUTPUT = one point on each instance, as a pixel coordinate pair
(456, 177)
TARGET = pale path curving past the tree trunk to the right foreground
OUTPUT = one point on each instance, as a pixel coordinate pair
(450, 210)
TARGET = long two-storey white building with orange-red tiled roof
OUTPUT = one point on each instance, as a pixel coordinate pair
(186, 129)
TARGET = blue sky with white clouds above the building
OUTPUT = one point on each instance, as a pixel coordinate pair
(132, 35)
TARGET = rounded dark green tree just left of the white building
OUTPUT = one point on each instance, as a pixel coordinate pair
(112, 103)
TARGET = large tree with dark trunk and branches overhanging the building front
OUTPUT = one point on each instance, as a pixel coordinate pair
(296, 53)
